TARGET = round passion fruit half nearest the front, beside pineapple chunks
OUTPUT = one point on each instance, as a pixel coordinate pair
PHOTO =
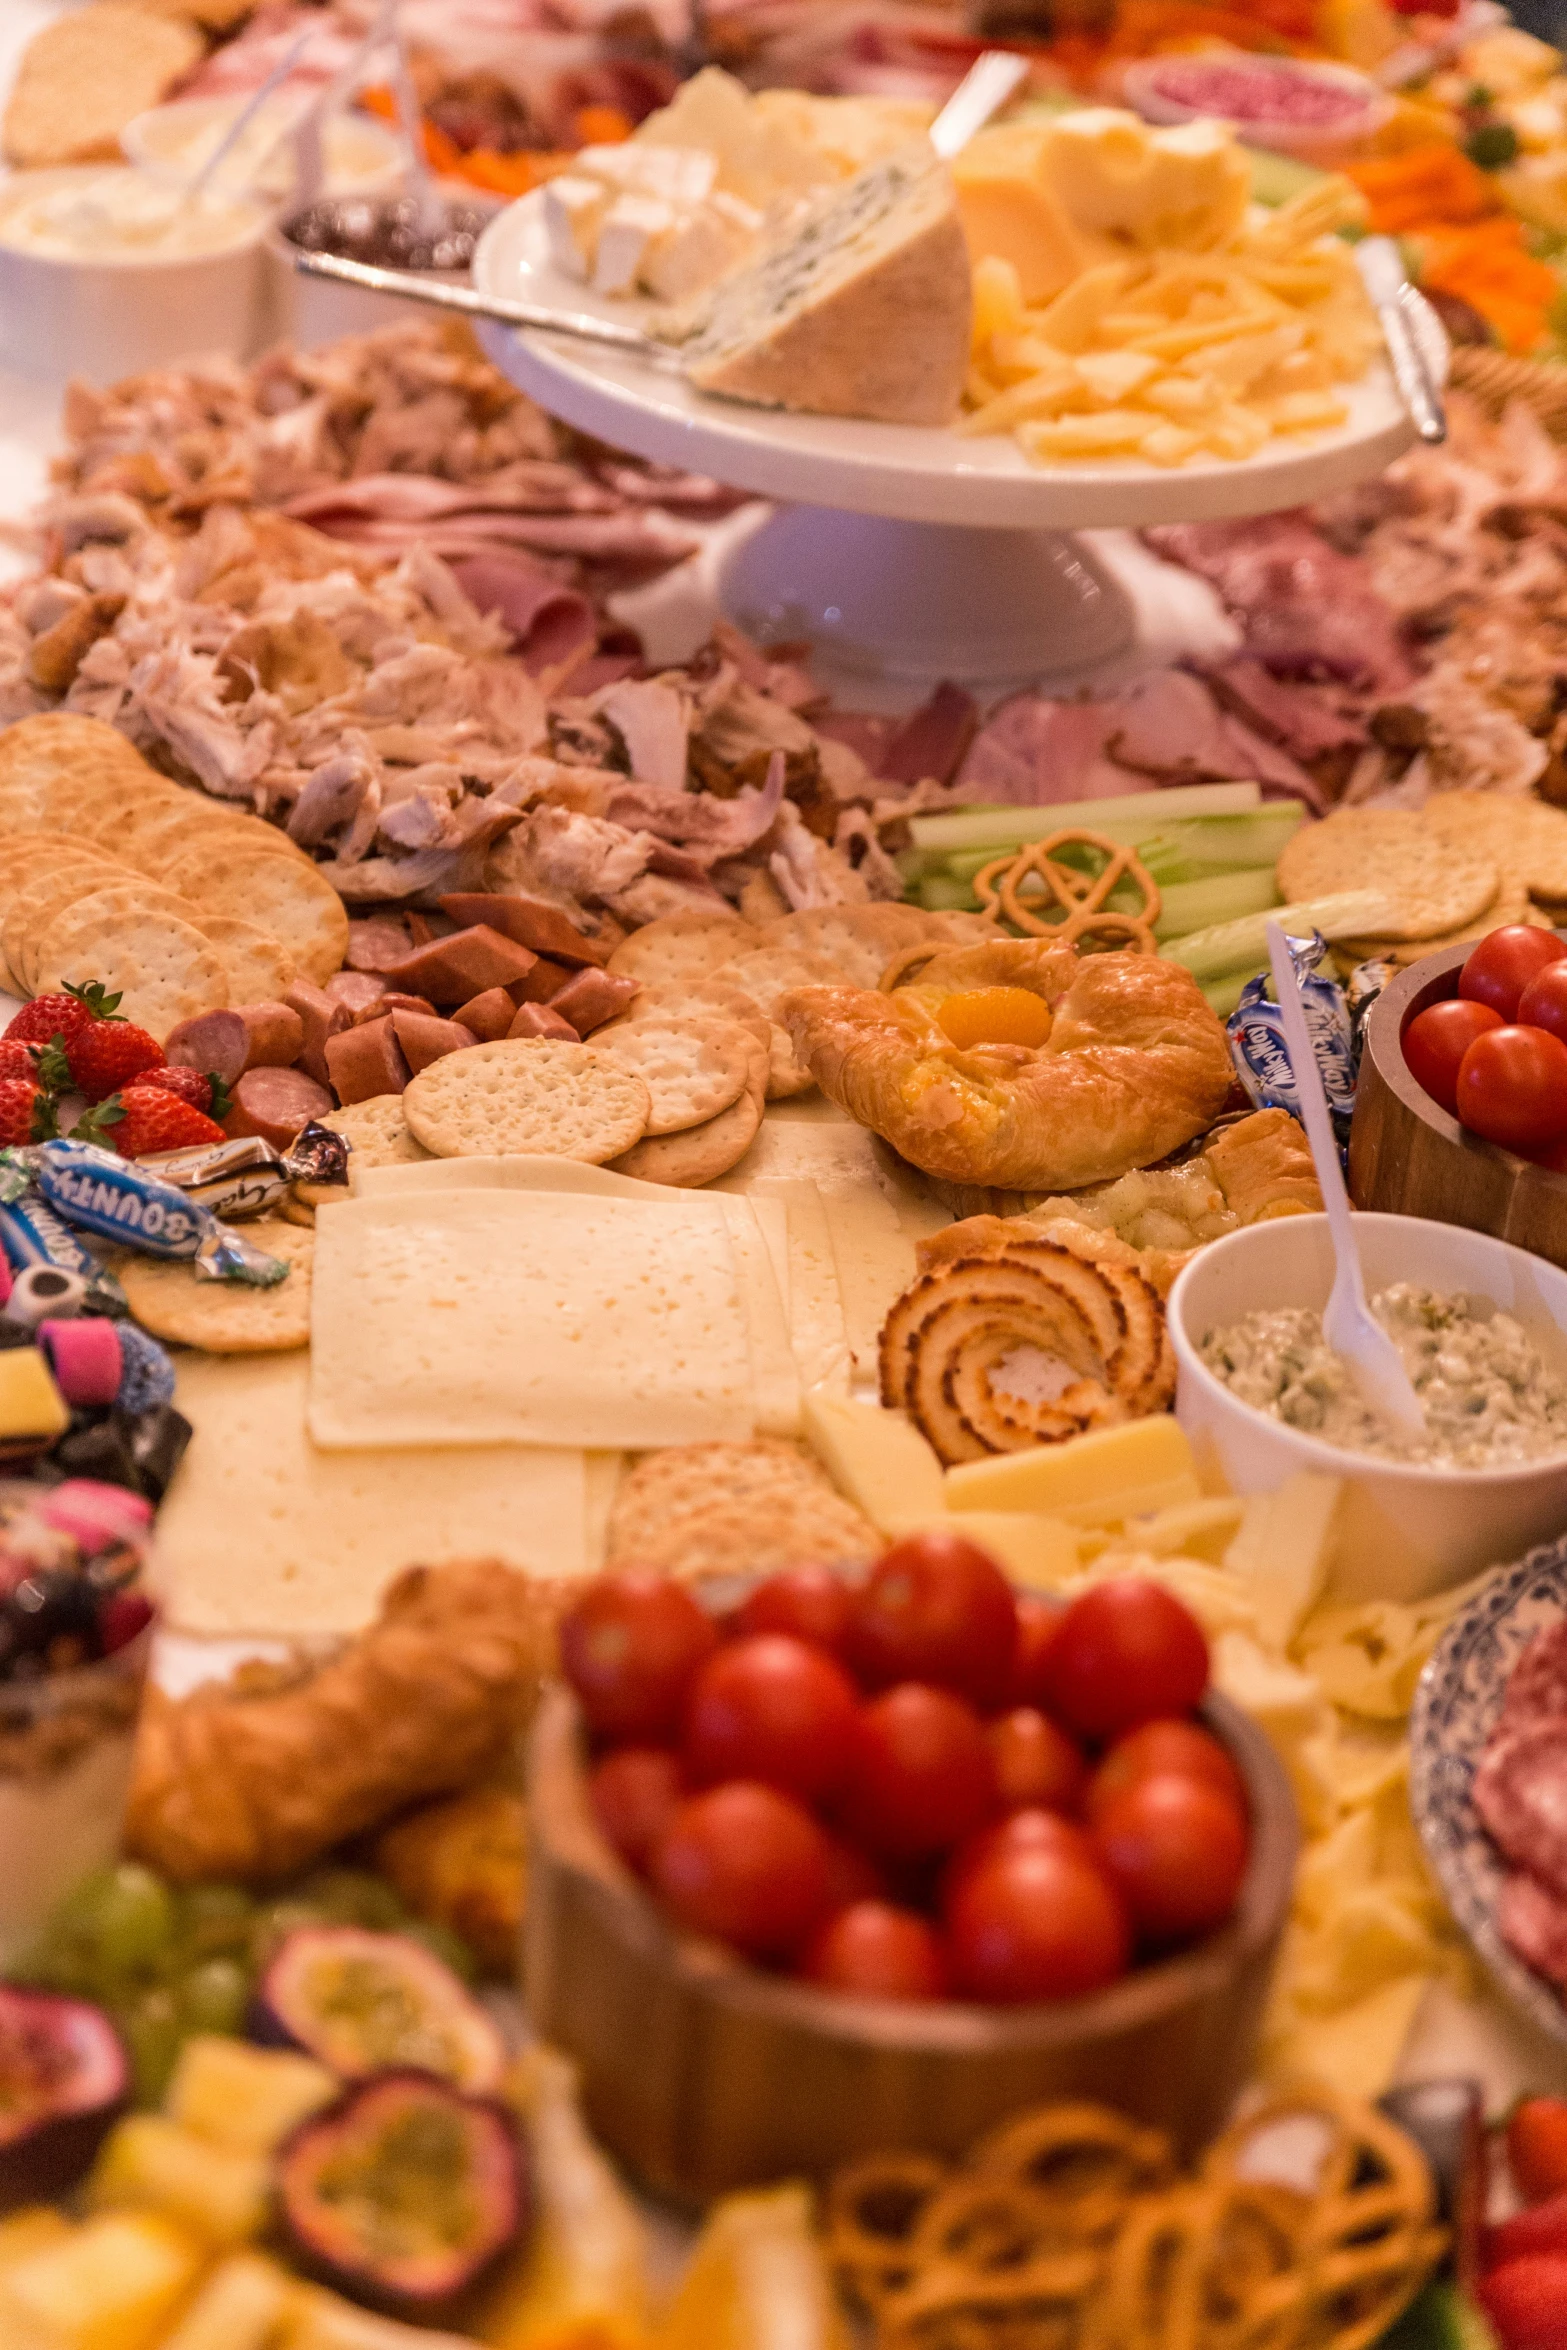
(403, 2194)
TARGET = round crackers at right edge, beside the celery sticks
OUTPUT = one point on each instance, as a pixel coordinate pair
(1458, 868)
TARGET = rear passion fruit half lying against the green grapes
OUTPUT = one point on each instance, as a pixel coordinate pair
(368, 2003)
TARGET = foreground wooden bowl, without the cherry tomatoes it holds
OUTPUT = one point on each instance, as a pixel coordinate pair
(706, 2074)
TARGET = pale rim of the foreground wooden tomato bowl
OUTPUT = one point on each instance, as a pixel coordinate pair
(563, 1822)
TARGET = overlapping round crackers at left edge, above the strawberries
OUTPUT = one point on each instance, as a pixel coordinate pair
(114, 873)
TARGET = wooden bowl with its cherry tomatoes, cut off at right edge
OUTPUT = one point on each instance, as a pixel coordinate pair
(1462, 1094)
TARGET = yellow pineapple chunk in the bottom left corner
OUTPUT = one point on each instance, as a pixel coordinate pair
(112, 2285)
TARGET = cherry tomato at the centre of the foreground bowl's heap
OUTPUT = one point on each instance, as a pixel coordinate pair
(922, 1773)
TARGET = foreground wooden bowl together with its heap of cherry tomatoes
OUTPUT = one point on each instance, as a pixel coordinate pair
(842, 1862)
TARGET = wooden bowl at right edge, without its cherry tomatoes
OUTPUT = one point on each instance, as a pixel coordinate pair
(1408, 1157)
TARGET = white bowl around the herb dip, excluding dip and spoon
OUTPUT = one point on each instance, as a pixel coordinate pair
(1406, 1531)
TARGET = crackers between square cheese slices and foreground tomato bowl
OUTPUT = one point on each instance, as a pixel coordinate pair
(732, 1510)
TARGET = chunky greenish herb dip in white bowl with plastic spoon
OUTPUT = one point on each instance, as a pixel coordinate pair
(1484, 1383)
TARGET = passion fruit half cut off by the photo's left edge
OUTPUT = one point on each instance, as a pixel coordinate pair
(65, 2076)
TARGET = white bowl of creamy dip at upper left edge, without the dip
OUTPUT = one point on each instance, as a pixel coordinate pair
(109, 316)
